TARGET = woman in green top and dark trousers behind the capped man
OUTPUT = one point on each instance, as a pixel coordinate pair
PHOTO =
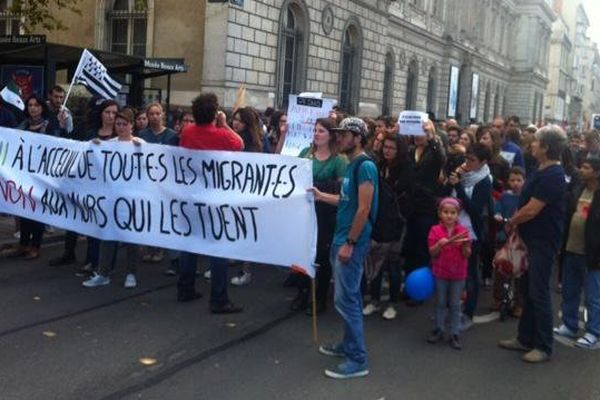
(329, 169)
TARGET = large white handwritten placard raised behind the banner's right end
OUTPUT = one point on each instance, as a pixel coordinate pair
(302, 115)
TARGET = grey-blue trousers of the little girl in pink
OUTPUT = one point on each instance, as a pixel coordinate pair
(448, 294)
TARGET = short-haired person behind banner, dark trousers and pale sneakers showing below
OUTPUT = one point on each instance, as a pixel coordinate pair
(108, 249)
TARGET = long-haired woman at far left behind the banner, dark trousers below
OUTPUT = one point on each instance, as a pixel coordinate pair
(37, 121)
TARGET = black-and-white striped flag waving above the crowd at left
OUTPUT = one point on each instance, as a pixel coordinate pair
(91, 73)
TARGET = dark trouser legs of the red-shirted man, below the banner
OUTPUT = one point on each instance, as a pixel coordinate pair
(218, 278)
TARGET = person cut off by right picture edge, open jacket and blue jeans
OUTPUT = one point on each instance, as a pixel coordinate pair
(582, 258)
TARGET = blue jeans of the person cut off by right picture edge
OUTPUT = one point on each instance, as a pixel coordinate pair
(575, 278)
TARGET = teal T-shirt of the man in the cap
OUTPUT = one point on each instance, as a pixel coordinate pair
(348, 205)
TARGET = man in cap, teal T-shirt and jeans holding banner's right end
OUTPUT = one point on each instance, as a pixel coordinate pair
(357, 207)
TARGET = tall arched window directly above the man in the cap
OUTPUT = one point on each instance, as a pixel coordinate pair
(350, 71)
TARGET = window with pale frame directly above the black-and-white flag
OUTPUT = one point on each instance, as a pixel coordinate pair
(128, 28)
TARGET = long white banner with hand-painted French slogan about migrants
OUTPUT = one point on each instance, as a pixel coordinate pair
(246, 206)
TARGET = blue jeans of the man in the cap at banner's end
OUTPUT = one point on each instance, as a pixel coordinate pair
(348, 301)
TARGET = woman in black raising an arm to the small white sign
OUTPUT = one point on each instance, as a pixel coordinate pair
(427, 160)
